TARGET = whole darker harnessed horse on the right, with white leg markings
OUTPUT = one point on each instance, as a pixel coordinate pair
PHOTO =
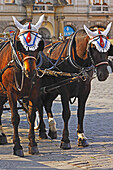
(81, 54)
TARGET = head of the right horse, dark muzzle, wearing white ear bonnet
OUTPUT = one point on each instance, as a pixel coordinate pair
(98, 47)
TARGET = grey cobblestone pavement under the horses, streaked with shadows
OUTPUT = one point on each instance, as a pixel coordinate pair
(98, 125)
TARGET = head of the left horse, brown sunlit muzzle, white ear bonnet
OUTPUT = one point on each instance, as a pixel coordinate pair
(28, 42)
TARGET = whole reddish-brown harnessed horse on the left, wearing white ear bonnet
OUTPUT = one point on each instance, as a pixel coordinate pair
(19, 79)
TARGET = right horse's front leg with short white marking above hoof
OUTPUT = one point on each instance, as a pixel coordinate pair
(82, 140)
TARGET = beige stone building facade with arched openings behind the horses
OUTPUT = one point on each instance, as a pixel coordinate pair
(62, 17)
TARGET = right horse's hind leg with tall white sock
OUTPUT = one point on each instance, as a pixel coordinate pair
(52, 124)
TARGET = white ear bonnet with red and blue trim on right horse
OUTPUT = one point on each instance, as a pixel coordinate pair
(101, 43)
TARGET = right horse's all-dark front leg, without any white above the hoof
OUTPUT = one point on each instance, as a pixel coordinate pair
(65, 142)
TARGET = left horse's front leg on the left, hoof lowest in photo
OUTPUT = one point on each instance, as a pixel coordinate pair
(15, 119)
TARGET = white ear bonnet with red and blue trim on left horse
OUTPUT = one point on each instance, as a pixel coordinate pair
(28, 39)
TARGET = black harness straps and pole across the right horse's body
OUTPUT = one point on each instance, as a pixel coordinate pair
(82, 71)
